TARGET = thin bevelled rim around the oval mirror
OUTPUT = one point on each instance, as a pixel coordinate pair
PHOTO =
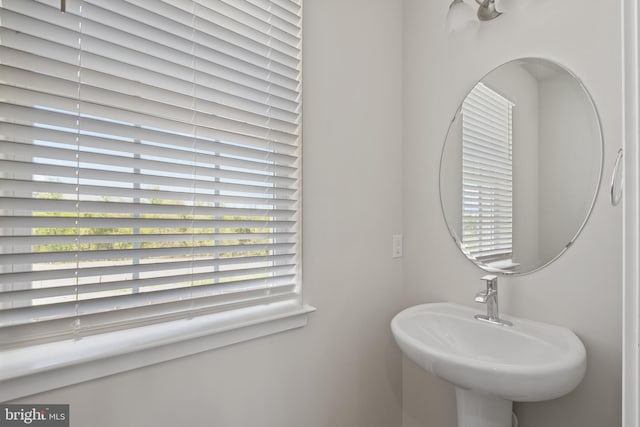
(596, 189)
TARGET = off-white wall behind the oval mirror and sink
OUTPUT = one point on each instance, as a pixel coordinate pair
(581, 290)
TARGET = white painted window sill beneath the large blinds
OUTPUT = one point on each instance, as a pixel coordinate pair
(44, 367)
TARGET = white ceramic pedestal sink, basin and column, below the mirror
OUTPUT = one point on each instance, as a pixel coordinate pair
(490, 365)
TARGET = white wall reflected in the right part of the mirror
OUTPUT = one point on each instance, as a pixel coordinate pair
(566, 161)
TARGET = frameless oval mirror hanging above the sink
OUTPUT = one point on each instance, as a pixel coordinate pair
(521, 166)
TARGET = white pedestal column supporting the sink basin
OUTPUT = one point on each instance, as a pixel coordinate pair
(482, 410)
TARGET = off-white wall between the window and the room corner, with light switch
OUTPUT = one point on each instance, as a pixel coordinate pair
(343, 369)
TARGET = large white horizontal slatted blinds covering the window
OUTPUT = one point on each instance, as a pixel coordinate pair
(149, 161)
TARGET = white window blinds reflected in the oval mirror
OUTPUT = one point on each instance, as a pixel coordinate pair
(487, 175)
